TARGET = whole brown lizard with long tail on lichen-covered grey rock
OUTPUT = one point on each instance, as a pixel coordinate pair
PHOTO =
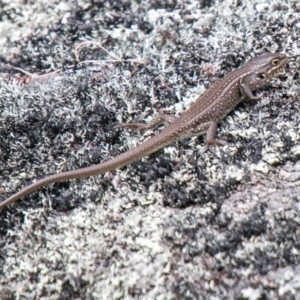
(202, 117)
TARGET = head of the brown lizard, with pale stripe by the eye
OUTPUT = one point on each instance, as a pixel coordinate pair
(263, 68)
